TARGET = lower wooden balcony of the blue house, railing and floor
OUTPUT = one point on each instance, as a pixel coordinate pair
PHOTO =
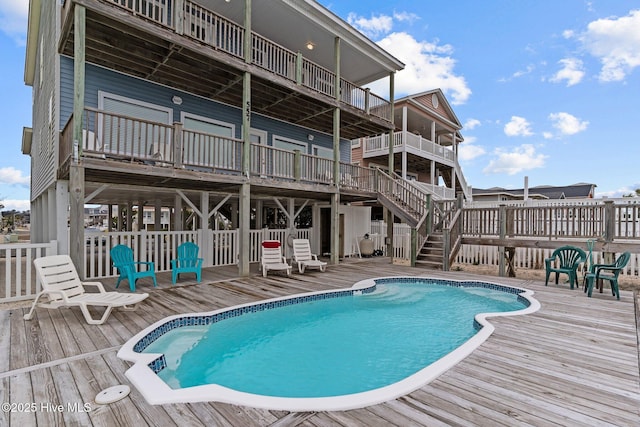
(119, 149)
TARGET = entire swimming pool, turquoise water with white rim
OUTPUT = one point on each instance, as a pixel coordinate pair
(330, 350)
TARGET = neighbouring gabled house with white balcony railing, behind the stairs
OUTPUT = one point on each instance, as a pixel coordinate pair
(426, 142)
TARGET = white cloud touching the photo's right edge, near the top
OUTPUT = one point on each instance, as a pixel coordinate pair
(615, 42)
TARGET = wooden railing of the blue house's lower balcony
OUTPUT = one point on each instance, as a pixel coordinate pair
(119, 137)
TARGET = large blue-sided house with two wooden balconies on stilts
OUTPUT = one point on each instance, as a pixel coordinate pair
(203, 105)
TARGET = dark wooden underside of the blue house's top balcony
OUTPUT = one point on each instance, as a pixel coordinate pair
(142, 49)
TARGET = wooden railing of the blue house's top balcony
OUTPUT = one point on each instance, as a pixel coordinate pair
(192, 20)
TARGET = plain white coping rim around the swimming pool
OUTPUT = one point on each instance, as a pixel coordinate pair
(156, 391)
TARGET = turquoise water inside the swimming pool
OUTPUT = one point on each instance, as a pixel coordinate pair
(330, 347)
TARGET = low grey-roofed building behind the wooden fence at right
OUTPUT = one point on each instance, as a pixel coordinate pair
(543, 192)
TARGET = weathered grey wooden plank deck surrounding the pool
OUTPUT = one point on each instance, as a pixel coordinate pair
(574, 362)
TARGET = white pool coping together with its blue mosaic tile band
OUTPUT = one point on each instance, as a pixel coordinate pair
(143, 373)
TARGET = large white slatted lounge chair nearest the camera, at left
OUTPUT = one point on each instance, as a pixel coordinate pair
(63, 288)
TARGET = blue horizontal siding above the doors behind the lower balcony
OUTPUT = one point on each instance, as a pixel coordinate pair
(101, 79)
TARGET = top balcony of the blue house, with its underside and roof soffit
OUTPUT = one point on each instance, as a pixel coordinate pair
(199, 47)
